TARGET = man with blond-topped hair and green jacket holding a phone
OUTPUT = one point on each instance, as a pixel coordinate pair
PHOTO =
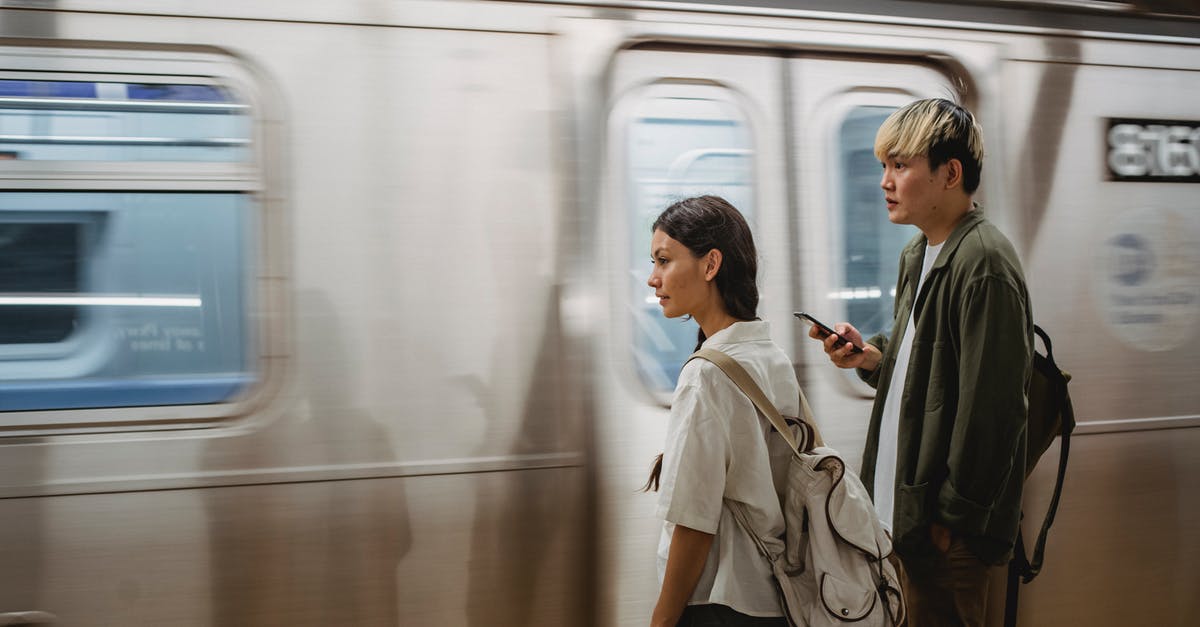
(946, 450)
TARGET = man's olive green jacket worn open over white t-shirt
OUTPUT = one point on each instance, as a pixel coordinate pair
(961, 457)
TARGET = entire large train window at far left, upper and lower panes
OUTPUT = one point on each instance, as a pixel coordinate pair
(129, 230)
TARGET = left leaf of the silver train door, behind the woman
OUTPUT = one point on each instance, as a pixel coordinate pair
(680, 124)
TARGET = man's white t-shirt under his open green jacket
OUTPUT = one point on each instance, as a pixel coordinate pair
(890, 427)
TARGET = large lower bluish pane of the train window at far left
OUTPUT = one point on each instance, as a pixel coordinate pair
(115, 300)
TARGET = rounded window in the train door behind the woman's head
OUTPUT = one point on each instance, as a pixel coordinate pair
(679, 146)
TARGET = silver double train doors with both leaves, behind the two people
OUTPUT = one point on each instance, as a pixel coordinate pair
(788, 140)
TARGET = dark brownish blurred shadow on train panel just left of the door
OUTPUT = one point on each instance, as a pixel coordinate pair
(524, 519)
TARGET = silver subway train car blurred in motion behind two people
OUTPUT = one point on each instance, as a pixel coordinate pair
(337, 313)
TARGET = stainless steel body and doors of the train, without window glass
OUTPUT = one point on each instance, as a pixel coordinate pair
(451, 429)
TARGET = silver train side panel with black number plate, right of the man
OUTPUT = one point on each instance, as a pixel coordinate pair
(1112, 230)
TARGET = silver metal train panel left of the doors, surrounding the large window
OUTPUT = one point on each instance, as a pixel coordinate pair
(417, 440)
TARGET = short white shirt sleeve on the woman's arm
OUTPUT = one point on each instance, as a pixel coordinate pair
(695, 461)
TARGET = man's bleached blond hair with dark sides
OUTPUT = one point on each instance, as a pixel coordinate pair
(935, 129)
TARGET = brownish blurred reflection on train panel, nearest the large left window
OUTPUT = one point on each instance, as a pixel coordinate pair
(320, 553)
